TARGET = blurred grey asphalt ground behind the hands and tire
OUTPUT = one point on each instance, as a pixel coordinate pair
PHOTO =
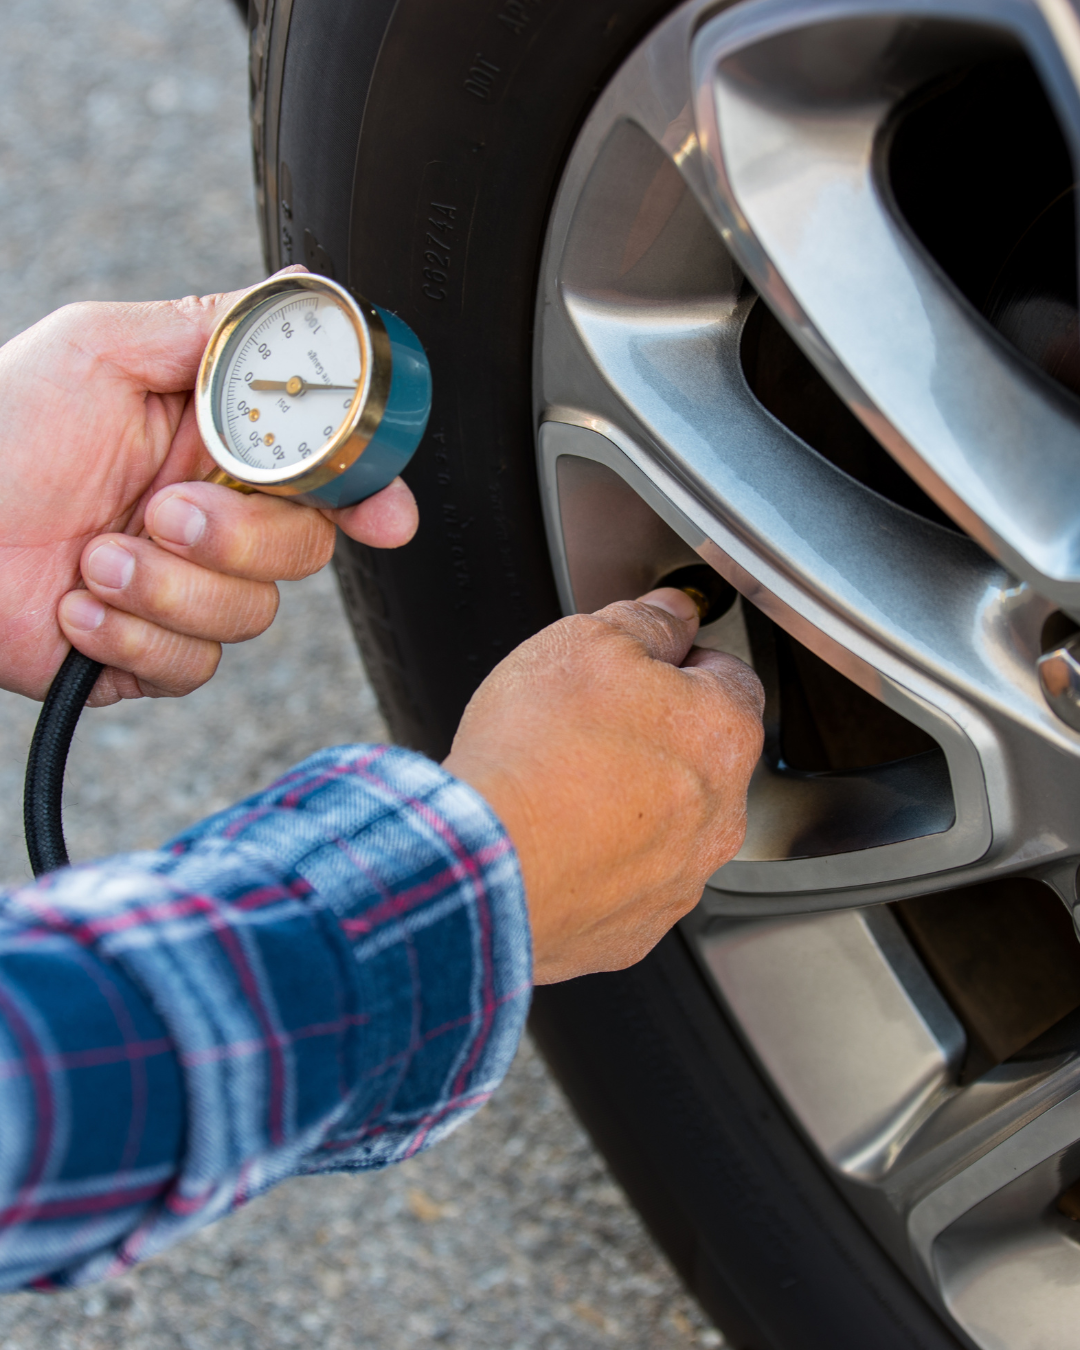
(125, 173)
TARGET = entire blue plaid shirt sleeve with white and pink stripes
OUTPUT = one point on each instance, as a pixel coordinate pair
(331, 975)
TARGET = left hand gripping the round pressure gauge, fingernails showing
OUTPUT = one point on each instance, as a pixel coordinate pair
(99, 443)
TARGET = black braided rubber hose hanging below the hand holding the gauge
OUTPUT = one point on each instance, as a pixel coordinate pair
(44, 789)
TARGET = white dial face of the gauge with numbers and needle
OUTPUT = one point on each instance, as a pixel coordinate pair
(290, 380)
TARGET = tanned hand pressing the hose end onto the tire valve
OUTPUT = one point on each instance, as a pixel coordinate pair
(618, 758)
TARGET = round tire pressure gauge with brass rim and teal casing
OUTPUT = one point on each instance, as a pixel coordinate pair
(306, 392)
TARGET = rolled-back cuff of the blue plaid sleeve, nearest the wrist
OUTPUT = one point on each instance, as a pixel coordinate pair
(342, 962)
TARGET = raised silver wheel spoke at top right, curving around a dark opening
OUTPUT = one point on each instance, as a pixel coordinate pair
(799, 182)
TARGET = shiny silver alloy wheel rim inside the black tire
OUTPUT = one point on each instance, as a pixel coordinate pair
(736, 161)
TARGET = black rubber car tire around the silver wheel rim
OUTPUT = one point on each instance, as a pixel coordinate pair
(412, 151)
